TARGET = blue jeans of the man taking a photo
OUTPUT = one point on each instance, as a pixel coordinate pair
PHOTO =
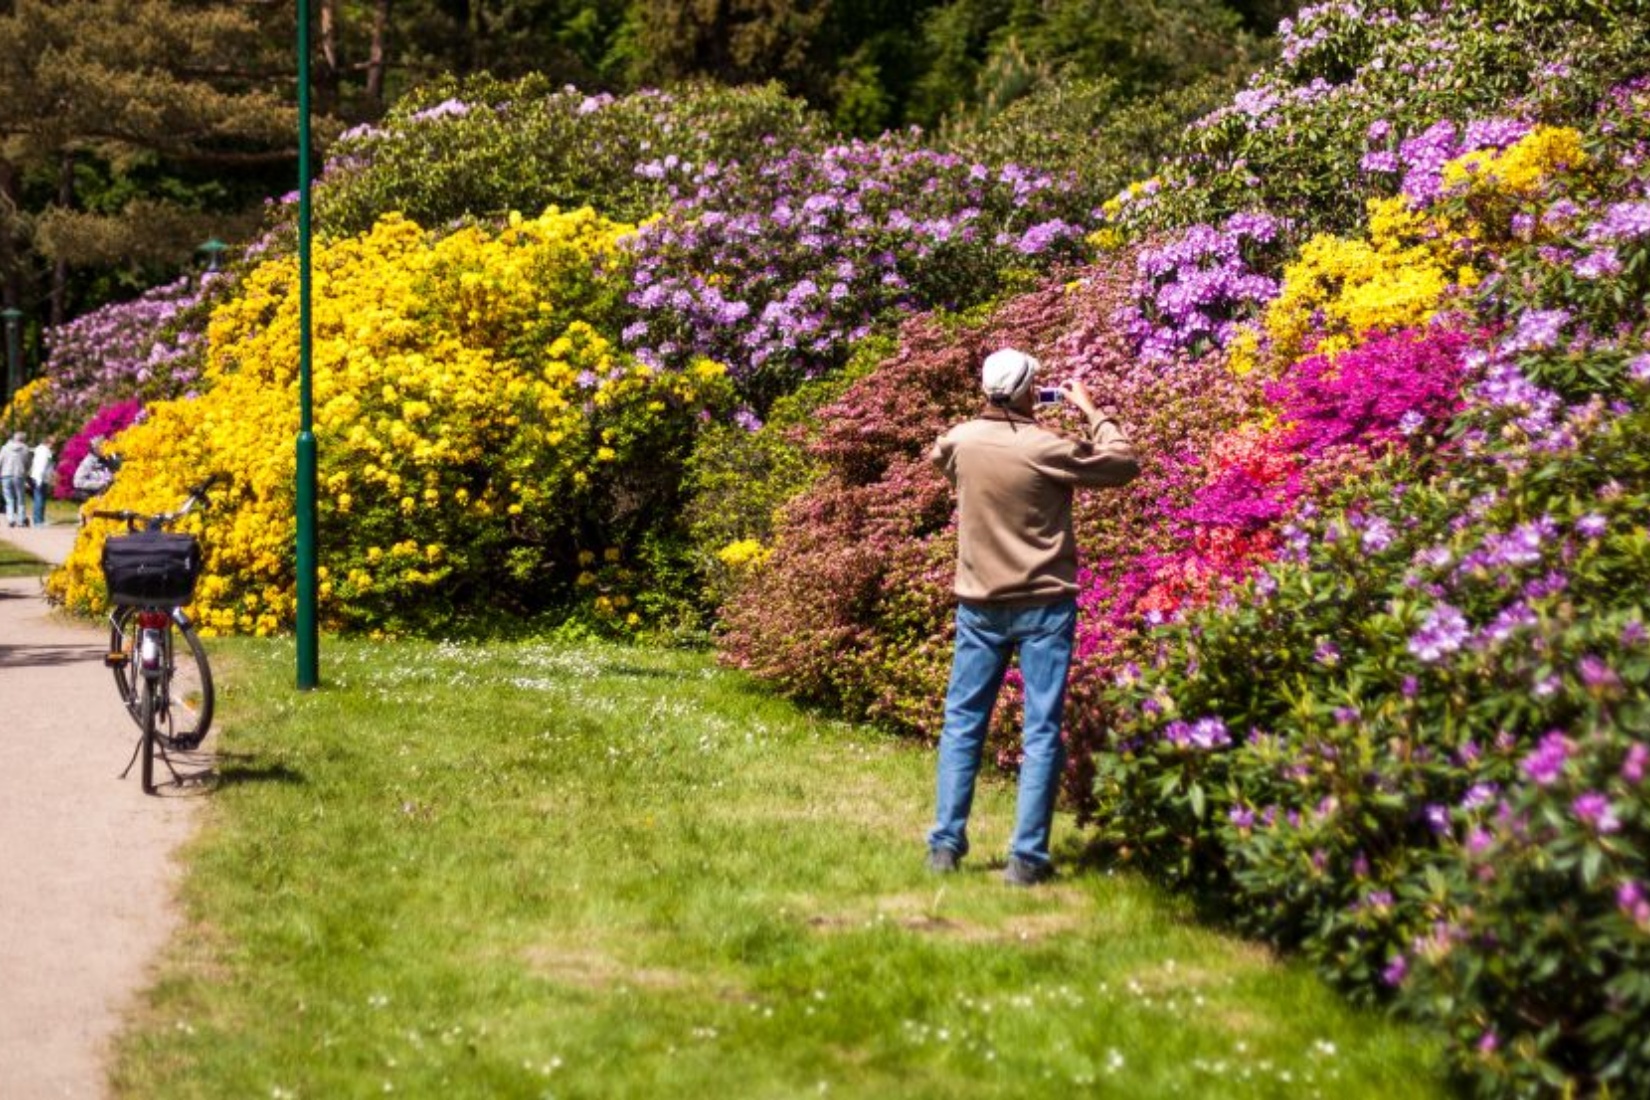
(986, 639)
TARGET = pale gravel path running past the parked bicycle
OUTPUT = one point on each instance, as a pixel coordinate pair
(87, 860)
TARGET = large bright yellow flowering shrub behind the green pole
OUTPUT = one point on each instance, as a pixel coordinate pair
(474, 428)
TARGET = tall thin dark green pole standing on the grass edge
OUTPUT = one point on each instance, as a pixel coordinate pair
(308, 628)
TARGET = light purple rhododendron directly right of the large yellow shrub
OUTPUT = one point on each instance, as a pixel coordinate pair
(778, 268)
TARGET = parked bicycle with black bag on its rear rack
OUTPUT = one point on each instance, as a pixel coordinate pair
(166, 687)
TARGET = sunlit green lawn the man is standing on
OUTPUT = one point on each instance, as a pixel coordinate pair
(585, 872)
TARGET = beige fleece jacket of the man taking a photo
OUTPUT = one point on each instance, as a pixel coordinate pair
(1014, 502)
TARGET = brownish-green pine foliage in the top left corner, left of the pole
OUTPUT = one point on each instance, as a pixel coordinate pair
(130, 133)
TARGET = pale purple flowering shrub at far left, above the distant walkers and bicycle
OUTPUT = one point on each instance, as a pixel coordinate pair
(148, 347)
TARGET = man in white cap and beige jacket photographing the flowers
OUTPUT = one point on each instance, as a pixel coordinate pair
(1017, 586)
